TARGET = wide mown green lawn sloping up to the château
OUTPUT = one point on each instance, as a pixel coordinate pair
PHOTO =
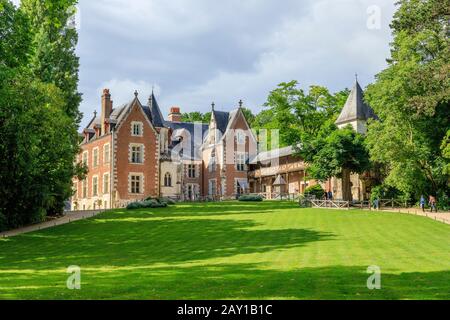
(231, 251)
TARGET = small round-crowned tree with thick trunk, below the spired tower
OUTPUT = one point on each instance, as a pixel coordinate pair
(336, 153)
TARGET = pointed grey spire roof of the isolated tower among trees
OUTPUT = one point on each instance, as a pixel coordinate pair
(355, 108)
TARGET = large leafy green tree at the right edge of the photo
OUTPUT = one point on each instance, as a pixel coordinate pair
(411, 98)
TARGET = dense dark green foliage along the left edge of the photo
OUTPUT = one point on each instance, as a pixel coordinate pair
(38, 138)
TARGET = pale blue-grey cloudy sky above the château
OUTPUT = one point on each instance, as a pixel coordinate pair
(194, 52)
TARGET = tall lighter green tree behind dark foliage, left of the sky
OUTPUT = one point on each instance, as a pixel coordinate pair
(54, 41)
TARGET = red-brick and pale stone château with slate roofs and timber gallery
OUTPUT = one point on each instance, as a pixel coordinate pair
(133, 153)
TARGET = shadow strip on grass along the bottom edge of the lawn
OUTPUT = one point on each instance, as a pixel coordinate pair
(242, 281)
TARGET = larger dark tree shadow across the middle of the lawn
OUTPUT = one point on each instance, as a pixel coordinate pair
(121, 242)
